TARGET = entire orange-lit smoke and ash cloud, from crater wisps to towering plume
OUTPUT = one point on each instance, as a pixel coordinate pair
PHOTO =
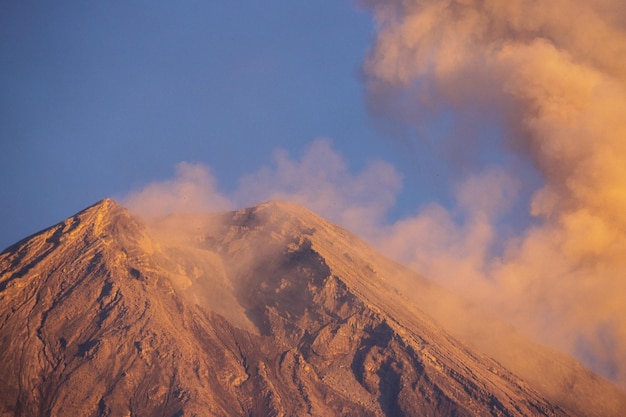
(533, 95)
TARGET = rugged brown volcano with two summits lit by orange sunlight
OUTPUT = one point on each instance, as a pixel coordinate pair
(266, 311)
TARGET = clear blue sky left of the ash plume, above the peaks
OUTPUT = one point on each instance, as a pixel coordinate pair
(99, 98)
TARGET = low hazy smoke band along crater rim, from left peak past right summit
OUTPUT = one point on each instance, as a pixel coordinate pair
(320, 180)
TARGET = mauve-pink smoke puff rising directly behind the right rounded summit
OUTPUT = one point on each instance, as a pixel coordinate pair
(321, 180)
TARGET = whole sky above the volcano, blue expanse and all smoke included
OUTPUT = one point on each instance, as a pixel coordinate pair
(482, 143)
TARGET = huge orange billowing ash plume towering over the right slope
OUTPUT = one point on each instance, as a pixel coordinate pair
(549, 78)
